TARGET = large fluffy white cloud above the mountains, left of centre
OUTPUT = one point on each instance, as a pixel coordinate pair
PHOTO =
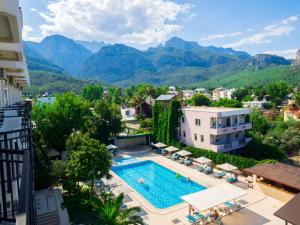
(141, 22)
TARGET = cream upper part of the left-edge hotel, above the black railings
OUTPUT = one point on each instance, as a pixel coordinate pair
(13, 69)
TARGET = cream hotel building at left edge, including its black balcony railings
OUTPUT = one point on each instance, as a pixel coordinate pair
(17, 201)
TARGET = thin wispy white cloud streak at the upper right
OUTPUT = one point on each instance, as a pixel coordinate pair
(276, 29)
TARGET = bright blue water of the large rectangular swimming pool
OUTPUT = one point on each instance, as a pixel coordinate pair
(161, 187)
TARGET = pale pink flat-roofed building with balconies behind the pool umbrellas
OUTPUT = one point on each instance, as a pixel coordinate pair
(216, 128)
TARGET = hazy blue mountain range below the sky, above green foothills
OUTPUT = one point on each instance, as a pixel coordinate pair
(176, 62)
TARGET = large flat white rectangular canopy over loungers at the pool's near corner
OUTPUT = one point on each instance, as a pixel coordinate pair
(214, 196)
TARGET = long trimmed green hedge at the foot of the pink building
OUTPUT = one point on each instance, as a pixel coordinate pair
(220, 158)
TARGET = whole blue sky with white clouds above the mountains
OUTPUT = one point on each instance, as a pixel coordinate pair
(256, 26)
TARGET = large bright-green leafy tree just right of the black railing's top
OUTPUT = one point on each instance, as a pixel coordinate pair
(56, 122)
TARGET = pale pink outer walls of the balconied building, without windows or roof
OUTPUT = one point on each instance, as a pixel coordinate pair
(219, 139)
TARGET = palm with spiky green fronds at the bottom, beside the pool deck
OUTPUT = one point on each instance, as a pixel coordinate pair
(109, 212)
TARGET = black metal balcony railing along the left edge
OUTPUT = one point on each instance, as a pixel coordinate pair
(17, 201)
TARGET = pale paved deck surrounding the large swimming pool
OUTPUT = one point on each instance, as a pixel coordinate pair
(257, 209)
